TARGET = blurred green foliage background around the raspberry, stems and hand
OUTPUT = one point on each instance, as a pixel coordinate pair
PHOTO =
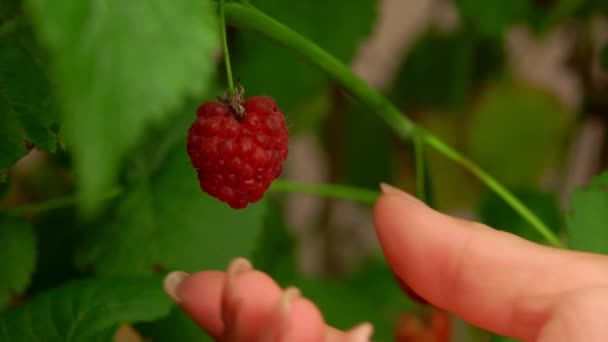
(98, 199)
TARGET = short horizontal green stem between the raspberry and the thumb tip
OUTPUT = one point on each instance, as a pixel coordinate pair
(327, 190)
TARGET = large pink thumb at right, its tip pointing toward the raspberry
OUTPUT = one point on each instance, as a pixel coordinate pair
(487, 277)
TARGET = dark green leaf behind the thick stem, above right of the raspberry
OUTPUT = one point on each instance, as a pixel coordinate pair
(338, 26)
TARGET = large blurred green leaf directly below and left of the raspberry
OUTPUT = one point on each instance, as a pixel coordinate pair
(166, 222)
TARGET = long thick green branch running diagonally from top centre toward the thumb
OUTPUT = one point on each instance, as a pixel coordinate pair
(250, 18)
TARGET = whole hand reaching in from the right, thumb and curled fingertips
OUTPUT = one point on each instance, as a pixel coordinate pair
(489, 278)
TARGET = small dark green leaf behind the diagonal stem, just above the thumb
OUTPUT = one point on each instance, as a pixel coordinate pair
(494, 212)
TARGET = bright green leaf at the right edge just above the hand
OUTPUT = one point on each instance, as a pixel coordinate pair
(587, 221)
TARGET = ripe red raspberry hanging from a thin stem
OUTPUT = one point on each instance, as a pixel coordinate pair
(238, 150)
